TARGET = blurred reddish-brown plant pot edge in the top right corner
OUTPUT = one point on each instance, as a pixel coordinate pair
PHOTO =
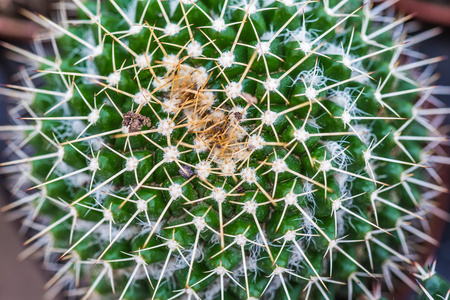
(433, 11)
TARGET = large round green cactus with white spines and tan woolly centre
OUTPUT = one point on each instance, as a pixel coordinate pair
(227, 149)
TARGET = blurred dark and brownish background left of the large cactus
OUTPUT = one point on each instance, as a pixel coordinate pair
(18, 280)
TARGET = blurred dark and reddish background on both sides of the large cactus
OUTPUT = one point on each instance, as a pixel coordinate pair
(25, 280)
